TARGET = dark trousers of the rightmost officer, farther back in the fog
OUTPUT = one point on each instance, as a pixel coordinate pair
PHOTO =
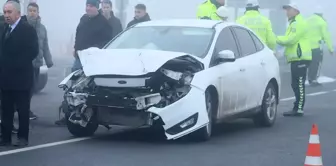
(315, 64)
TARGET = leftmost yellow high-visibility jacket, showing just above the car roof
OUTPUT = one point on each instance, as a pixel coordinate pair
(207, 10)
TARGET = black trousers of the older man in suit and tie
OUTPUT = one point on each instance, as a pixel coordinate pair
(10, 100)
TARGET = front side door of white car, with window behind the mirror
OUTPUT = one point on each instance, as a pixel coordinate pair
(231, 81)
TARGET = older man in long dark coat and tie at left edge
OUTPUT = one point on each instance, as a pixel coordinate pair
(16, 73)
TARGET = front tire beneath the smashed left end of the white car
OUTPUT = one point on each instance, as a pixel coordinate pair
(79, 131)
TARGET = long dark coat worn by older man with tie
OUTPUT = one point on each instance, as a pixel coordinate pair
(18, 52)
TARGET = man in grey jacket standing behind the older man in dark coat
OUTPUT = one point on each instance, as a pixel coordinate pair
(34, 20)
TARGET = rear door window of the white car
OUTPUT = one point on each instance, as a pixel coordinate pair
(245, 40)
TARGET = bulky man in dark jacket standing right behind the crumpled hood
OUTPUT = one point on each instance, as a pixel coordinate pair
(93, 30)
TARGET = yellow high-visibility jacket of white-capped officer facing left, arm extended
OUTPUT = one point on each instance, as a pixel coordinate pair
(296, 41)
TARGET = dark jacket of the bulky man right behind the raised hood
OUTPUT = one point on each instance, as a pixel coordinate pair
(92, 32)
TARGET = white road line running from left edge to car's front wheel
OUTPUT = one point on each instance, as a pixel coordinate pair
(43, 146)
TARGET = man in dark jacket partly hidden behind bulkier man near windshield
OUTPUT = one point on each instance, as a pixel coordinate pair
(112, 20)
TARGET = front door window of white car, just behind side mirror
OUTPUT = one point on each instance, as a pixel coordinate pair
(226, 41)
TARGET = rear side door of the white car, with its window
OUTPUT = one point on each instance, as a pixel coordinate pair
(251, 59)
